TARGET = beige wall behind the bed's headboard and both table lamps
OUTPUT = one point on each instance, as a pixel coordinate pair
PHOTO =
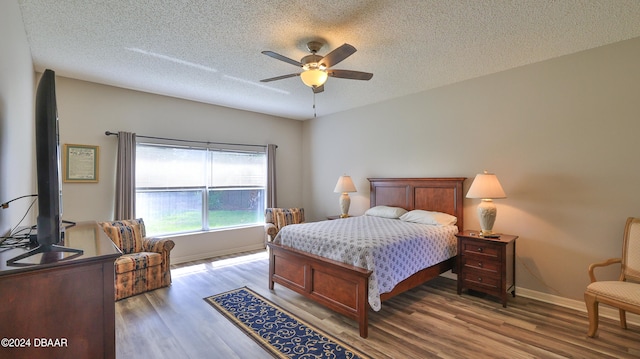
(562, 136)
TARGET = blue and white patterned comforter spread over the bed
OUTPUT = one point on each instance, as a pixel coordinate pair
(391, 248)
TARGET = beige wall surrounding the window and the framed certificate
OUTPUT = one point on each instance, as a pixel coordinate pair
(86, 110)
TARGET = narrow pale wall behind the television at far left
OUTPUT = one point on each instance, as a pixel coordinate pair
(17, 148)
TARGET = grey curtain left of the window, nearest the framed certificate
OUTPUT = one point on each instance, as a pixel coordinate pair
(126, 176)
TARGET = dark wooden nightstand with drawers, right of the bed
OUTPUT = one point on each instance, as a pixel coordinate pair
(487, 265)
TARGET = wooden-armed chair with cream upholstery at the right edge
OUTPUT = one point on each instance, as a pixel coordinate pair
(624, 293)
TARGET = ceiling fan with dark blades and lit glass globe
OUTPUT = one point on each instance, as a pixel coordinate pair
(316, 69)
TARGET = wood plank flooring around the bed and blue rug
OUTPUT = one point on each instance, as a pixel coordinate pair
(431, 321)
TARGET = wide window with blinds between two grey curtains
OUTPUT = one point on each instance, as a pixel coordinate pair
(187, 189)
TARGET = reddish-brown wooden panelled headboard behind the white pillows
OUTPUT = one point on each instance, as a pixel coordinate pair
(430, 194)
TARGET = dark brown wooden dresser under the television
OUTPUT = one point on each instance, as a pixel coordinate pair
(60, 308)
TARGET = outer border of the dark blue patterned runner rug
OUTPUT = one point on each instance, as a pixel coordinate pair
(257, 338)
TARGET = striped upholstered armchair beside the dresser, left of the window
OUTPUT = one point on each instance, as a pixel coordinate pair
(145, 264)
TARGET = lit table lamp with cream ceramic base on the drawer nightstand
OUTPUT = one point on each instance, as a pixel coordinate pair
(487, 187)
